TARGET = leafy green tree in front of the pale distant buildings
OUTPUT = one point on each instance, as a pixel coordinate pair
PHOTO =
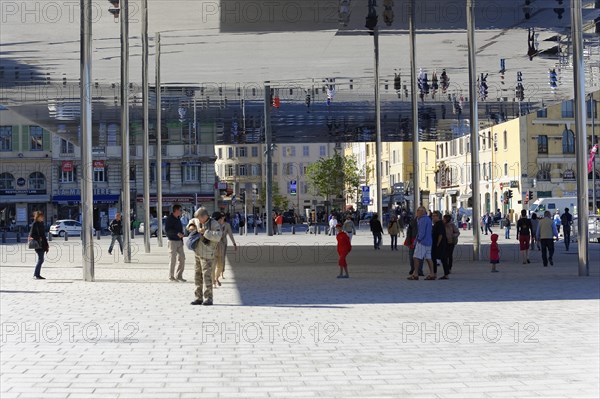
(332, 177)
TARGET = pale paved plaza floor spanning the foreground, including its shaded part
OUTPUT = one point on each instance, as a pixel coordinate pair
(283, 326)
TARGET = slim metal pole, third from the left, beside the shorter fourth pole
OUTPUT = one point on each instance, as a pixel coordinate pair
(146, 138)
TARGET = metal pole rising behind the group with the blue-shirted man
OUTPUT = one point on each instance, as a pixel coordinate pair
(415, 104)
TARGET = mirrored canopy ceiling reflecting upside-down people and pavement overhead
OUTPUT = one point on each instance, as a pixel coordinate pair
(216, 56)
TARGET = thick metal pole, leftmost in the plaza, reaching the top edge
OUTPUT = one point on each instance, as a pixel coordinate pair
(87, 194)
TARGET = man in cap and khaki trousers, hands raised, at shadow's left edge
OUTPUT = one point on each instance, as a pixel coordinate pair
(204, 253)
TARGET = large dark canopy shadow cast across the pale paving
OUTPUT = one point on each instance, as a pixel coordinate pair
(293, 275)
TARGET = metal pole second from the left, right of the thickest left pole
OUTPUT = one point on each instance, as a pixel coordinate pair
(125, 192)
